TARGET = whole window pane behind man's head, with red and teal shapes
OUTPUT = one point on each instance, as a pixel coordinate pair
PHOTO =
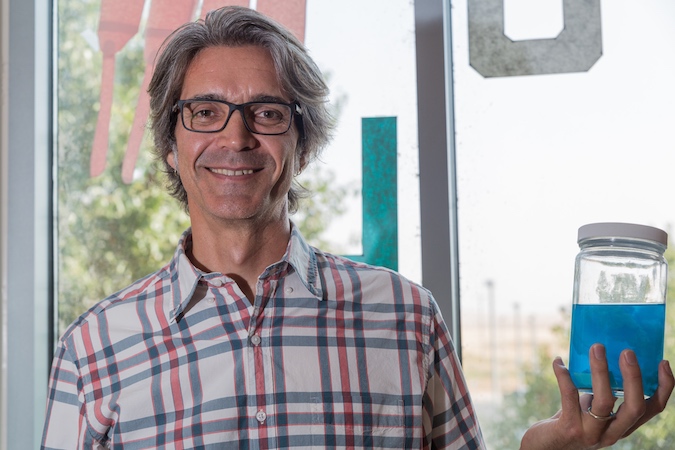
(115, 220)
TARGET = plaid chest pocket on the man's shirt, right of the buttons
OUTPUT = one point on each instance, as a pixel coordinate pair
(358, 421)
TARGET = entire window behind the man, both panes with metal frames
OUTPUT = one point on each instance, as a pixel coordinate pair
(533, 154)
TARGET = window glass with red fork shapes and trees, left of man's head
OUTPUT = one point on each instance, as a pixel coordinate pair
(113, 226)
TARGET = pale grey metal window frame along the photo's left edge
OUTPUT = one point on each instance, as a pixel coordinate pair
(26, 245)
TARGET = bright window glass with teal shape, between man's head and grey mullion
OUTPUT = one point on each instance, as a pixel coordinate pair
(366, 51)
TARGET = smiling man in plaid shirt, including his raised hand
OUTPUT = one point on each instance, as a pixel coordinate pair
(249, 337)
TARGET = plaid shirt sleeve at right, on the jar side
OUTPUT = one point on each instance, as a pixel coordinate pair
(450, 418)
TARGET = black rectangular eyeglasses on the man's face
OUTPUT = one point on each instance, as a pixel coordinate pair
(212, 116)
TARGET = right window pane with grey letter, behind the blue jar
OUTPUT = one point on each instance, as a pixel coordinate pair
(549, 140)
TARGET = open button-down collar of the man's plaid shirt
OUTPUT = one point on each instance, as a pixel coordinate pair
(299, 255)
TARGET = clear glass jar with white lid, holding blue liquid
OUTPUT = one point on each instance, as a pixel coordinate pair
(619, 300)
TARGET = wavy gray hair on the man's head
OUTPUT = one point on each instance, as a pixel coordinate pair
(234, 26)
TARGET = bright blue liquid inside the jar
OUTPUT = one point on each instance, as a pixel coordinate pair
(618, 327)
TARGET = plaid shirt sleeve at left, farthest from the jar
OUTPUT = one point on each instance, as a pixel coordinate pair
(65, 420)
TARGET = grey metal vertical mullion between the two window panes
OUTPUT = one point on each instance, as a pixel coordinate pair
(438, 205)
